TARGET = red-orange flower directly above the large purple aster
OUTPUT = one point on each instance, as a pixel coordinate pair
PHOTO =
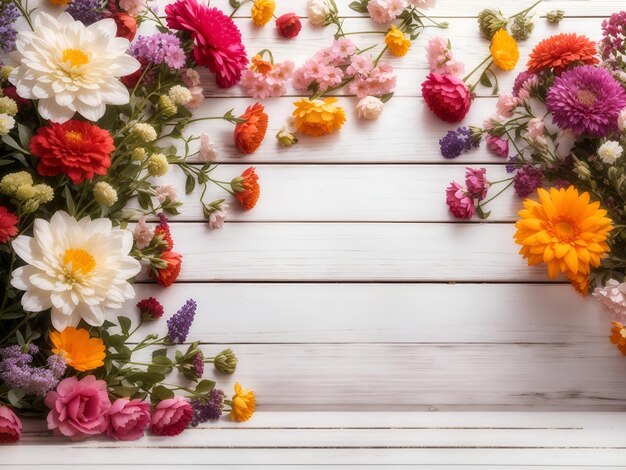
(559, 51)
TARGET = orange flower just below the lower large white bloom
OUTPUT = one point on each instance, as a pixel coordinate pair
(78, 349)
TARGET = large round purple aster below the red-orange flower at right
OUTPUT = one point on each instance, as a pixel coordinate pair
(586, 99)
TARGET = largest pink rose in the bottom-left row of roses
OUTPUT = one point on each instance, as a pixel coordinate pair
(78, 408)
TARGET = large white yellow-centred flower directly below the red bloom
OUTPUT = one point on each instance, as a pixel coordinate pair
(79, 268)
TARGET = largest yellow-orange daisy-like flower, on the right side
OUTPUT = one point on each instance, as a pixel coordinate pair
(565, 231)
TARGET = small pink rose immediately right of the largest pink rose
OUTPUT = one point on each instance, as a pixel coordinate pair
(128, 419)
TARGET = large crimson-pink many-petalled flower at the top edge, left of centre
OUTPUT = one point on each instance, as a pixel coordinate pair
(217, 41)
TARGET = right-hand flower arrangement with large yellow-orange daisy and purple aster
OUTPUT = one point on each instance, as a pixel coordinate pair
(565, 125)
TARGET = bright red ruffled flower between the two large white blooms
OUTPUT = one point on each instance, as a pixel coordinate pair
(75, 148)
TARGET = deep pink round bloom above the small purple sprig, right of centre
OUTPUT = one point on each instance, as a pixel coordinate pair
(446, 96)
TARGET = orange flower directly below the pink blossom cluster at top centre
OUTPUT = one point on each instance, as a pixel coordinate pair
(317, 117)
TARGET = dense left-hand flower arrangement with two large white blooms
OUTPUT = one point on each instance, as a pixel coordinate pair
(88, 119)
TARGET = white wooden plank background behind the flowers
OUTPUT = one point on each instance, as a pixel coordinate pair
(376, 329)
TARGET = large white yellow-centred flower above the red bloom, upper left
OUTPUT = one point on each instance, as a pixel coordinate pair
(72, 68)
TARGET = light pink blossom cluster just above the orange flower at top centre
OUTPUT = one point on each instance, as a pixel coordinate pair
(341, 63)
